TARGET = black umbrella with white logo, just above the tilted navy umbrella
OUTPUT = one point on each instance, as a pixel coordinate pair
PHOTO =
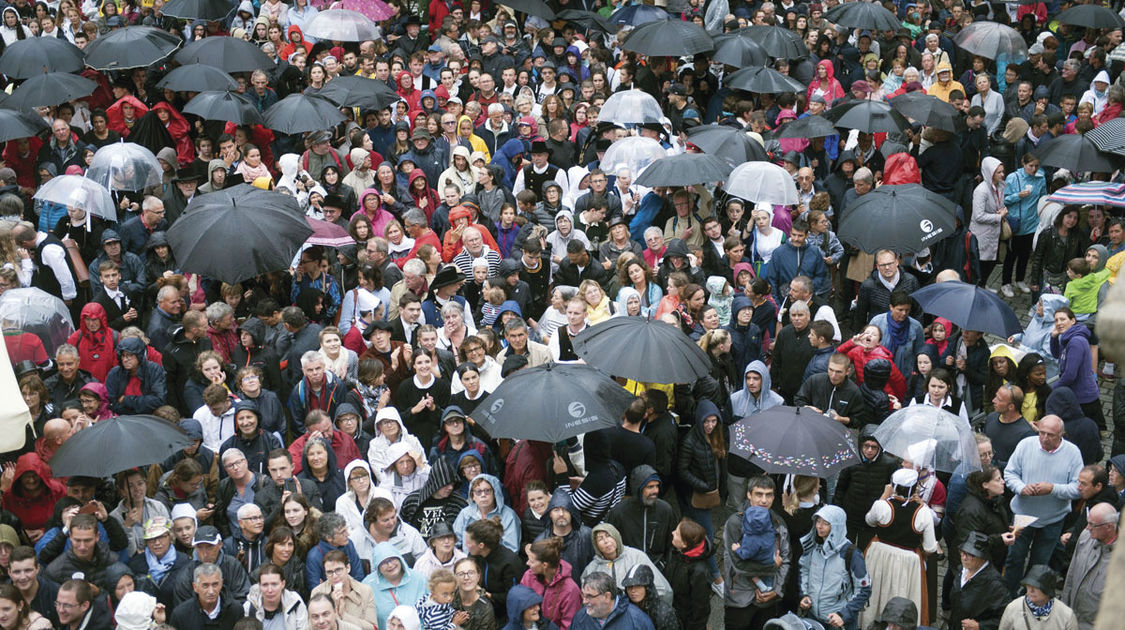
(902, 218)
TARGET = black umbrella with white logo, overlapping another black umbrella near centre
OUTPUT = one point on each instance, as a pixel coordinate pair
(568, 401)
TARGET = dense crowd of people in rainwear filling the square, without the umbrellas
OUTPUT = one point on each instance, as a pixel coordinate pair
(337, 479)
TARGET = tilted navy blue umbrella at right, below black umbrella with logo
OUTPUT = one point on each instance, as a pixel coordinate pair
(969, 307)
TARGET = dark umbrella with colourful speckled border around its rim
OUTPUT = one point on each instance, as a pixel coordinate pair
(794, 440)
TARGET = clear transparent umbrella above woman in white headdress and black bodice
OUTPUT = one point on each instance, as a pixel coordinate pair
(930, 438)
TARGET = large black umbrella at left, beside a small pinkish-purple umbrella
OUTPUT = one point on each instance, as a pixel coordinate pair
(239, 233)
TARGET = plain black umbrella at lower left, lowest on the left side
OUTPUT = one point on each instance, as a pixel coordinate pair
(119, 444)
